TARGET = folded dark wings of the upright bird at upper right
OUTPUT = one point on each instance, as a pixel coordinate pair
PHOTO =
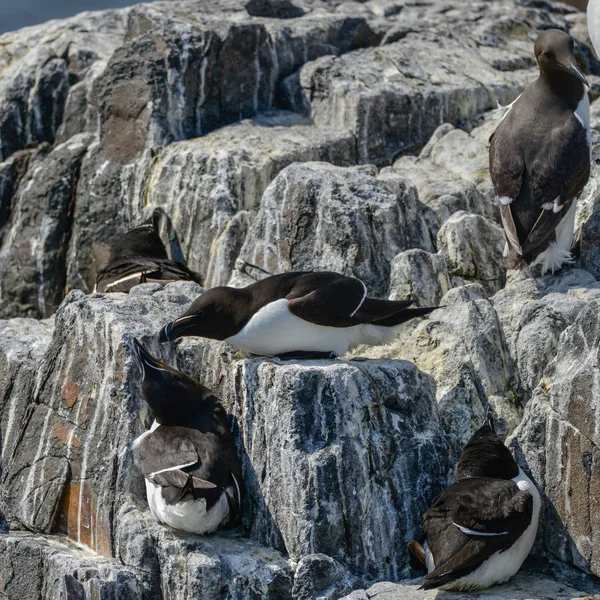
(551, 172)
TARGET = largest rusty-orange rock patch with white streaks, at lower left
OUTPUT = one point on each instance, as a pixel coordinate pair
(85, 526)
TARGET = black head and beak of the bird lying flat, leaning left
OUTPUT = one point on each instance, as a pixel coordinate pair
(218, 314)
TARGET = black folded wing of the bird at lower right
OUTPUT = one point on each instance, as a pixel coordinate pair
(471, 520)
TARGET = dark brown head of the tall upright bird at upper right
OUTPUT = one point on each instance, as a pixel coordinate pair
(554, 52)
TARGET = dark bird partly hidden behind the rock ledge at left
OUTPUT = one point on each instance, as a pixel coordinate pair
(140, 256)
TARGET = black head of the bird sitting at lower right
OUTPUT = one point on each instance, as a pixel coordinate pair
(485, 455)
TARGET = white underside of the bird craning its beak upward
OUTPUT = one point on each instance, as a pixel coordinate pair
(191, 515)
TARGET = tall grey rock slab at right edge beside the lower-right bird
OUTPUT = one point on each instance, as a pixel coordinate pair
(557, 441)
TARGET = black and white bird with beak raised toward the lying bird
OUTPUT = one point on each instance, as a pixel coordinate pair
(188, 458)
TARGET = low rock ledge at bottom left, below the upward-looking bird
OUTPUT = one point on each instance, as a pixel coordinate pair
(33, 567)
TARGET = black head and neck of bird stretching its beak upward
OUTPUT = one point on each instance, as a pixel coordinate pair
(174, 398)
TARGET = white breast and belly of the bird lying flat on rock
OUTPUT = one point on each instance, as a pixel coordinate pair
(275, 330)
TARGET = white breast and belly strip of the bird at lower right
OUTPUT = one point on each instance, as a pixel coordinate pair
(501, 566)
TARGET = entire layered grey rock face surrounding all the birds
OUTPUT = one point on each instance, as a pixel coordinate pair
(282, 136)
